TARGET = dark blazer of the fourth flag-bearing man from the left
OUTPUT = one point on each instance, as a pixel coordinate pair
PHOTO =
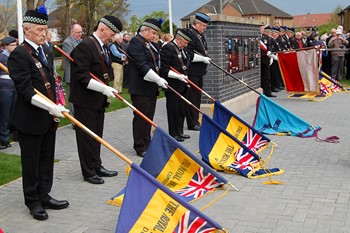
(169, 57)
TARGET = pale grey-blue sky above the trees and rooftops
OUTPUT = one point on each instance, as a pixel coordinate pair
(180, 8)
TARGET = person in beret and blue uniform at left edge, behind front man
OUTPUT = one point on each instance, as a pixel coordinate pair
(7, 92)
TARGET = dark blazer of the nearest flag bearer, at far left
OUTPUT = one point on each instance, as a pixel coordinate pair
(27, 118)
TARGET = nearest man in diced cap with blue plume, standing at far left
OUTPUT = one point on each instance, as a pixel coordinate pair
(34, 117)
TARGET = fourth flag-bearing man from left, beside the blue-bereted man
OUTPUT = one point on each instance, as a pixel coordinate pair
(174, 55)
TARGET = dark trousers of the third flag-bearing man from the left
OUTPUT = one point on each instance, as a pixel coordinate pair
(141, 129)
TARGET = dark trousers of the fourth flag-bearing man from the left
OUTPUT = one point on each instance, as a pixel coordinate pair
(175, 107)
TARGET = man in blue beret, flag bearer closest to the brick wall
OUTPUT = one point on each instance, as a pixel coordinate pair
(198, 52)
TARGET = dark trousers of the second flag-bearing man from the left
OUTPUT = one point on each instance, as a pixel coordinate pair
(88, 148)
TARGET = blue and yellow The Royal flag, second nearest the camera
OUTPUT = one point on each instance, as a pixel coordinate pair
(177, 168)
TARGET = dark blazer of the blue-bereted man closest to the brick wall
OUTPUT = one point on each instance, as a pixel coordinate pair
(198, 44)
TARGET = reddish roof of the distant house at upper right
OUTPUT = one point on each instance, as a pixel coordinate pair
(311, 20)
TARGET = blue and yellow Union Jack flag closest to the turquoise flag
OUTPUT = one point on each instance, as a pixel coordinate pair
(240, 129)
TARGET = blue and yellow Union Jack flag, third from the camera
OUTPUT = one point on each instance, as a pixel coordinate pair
(226, 153)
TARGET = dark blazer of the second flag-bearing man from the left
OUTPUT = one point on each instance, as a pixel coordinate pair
(87, 59)
